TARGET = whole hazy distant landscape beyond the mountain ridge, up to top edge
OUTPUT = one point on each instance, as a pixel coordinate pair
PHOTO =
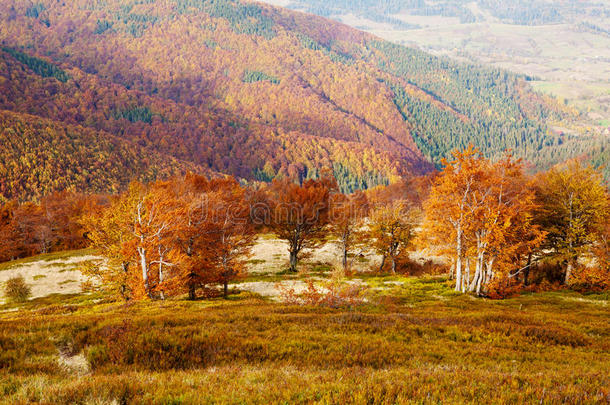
(564, 44)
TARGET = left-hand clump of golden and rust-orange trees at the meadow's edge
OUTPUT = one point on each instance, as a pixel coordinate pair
(173, 237)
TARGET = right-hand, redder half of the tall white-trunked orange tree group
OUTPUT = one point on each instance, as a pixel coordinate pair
(501, 230)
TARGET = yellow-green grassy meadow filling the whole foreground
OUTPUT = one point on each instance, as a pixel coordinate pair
(413, 342)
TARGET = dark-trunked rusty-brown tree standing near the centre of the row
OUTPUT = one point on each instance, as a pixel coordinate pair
(299, 214)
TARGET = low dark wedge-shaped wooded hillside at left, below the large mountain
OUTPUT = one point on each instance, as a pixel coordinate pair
(40, 156)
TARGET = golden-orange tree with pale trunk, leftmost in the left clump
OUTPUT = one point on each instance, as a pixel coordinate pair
(137, 232)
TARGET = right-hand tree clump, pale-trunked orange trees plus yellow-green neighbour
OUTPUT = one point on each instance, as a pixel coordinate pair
(495, 223)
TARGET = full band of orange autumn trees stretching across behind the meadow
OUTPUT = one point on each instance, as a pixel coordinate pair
(500, 229)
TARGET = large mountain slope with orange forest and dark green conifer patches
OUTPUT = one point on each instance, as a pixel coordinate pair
(256, 91)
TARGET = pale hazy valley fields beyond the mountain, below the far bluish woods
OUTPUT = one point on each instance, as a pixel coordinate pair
(575, 65)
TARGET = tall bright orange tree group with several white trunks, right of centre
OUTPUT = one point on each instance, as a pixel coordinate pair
(483, 211)
